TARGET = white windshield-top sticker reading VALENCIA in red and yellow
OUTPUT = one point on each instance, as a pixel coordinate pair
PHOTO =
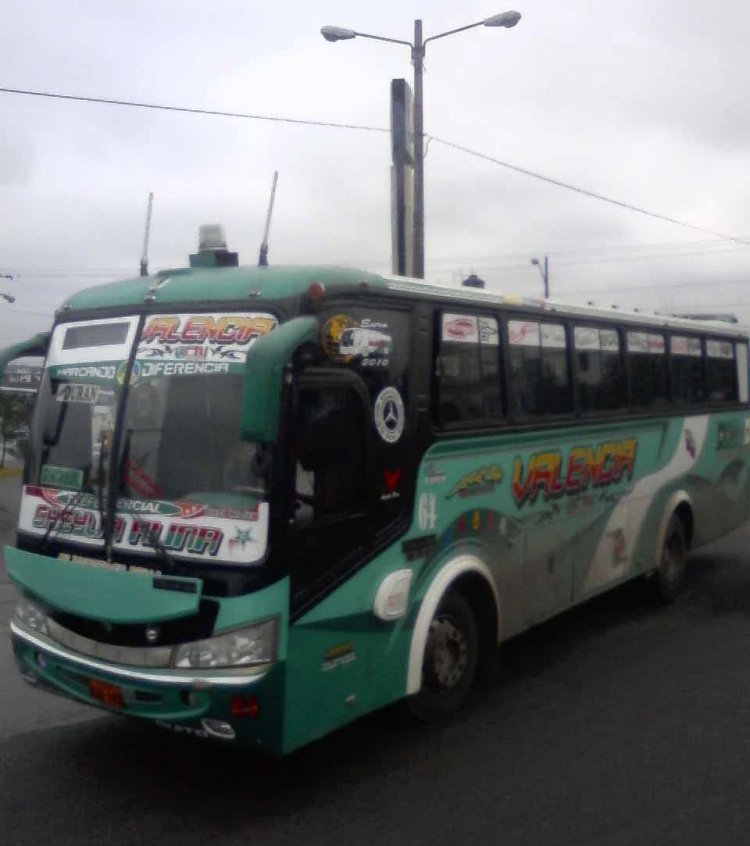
(200, 338)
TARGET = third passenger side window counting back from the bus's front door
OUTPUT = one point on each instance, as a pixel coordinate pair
(601, 374)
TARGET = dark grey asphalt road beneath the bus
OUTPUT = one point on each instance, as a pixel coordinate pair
(618, 723)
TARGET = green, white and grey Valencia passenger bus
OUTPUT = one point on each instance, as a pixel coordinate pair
(261, 502)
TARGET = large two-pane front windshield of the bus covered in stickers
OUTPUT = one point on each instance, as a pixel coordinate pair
(182, 482)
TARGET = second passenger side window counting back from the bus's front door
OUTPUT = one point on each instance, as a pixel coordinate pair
(540, 381)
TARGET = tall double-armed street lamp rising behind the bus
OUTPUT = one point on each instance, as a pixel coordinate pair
(336, 33)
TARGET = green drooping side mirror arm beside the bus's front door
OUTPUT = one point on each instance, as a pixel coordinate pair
(264, 374)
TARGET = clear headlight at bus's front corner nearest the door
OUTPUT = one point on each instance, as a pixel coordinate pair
(240, 648)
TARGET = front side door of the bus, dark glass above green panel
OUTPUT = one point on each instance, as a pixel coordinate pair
(329, 534)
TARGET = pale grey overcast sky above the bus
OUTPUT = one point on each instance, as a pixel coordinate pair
(643, 101)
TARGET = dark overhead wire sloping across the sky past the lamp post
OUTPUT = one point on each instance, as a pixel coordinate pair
(331, 124)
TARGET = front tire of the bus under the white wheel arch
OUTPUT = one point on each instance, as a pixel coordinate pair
(450, 661)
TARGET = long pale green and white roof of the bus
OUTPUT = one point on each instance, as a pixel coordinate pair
(213, 285)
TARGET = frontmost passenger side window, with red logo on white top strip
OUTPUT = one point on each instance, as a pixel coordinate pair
(468, 370)
